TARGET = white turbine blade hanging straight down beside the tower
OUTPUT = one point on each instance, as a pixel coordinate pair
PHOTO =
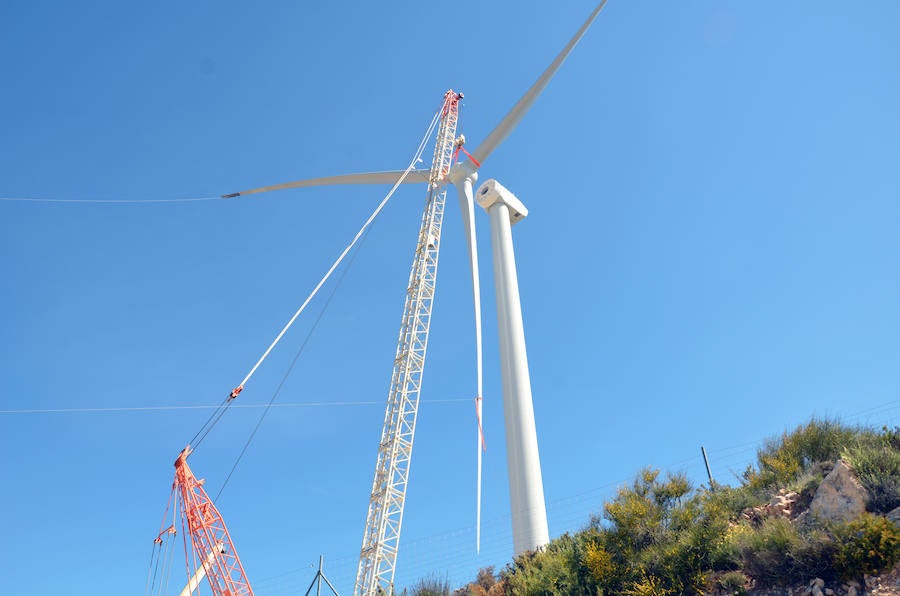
(467, 204)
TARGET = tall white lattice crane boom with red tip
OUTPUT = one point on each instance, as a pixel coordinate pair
(381, 540)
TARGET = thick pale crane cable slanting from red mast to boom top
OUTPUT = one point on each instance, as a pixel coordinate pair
(220, 411)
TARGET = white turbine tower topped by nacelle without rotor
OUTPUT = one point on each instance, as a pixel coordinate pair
(526, 489)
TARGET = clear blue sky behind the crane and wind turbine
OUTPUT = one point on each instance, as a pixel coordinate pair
(710, 257)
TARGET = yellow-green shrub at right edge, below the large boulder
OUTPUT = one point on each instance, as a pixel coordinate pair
(868, 545)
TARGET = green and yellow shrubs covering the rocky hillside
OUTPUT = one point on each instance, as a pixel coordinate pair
(660, 535)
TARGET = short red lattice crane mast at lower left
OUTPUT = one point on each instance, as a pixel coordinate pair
(209, 536)
